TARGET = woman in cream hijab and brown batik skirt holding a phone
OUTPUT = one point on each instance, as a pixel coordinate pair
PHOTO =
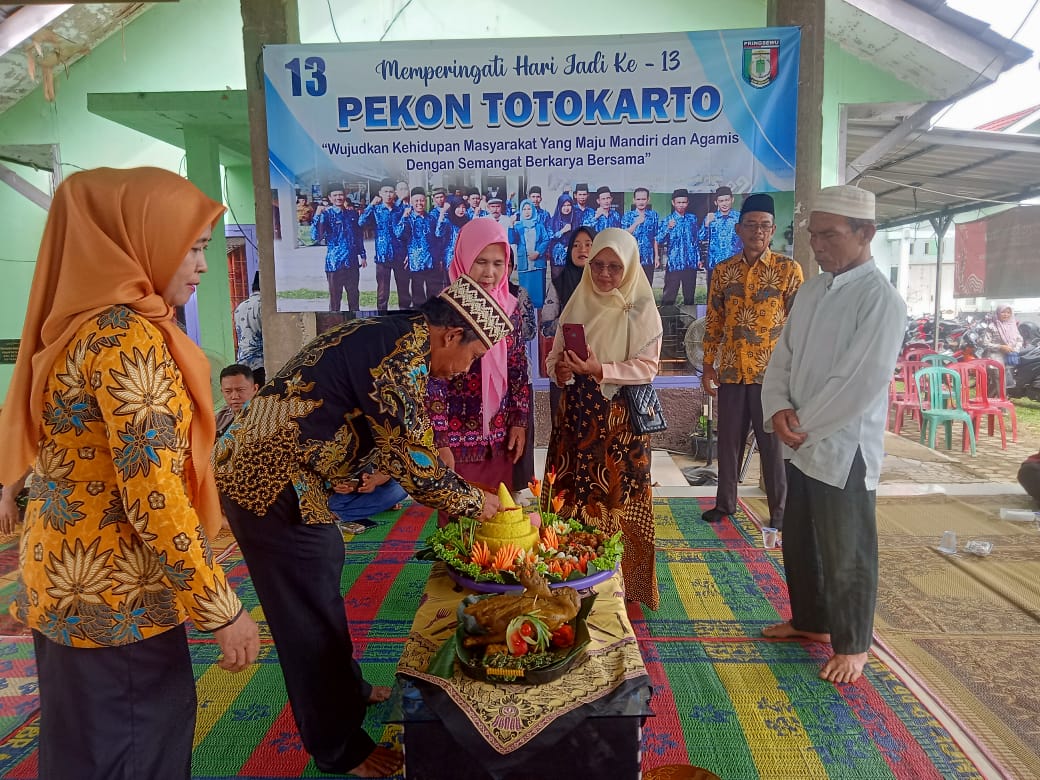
(603, 467)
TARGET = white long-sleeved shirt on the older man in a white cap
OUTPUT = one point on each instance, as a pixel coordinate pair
(833, 366)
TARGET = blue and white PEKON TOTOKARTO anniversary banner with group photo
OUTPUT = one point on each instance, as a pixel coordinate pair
(381, 152)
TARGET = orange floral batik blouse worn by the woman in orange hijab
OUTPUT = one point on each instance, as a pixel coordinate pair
(113, 551)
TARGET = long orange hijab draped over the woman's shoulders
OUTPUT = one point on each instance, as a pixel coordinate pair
(113, 238)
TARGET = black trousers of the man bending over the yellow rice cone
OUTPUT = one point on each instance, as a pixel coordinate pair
(297, 569)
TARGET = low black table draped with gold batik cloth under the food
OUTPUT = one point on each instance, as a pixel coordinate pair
(588, 722)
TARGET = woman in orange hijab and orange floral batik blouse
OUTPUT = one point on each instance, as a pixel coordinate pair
(111, 404)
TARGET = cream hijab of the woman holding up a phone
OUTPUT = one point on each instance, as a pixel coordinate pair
(620, 324)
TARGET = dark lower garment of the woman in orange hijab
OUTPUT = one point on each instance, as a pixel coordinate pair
(117, 713)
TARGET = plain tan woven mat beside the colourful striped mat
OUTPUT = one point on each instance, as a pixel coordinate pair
(968, 629)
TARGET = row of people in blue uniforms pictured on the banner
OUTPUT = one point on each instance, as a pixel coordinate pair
(415, 236)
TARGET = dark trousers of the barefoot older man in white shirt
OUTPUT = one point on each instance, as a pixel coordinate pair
(830, 557)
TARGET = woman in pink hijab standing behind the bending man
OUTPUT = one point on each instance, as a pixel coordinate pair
(480, 418)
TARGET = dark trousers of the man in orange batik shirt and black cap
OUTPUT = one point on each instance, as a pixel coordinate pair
(740, 411)
